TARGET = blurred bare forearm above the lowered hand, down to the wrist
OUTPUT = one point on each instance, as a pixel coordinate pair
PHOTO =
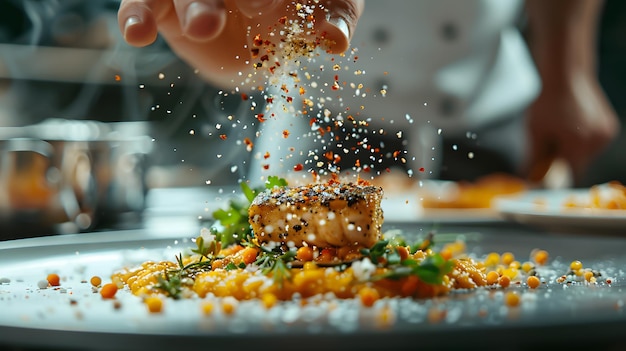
(563, 37)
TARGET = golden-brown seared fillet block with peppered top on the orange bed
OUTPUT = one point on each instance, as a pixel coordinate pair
(323, 215)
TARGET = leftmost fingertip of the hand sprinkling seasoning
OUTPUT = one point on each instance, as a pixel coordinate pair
(137, 20)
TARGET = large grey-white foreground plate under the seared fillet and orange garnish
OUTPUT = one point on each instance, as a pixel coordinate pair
(74, 317)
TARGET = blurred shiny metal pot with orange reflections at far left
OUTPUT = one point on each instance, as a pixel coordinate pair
(62, 176)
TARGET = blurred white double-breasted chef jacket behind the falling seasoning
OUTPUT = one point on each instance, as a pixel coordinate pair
(449, 65)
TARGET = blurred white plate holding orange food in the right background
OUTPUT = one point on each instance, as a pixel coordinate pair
(546, 208)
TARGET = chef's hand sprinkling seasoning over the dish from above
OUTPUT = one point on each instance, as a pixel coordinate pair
(214, 36)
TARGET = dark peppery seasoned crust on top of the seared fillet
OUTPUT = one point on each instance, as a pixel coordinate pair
(323, 194)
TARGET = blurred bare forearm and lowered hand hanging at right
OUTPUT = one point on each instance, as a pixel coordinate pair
(572, 118)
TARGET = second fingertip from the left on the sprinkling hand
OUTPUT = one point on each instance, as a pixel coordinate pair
(201, 20)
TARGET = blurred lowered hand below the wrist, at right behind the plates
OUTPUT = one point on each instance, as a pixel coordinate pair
(573, 121)
